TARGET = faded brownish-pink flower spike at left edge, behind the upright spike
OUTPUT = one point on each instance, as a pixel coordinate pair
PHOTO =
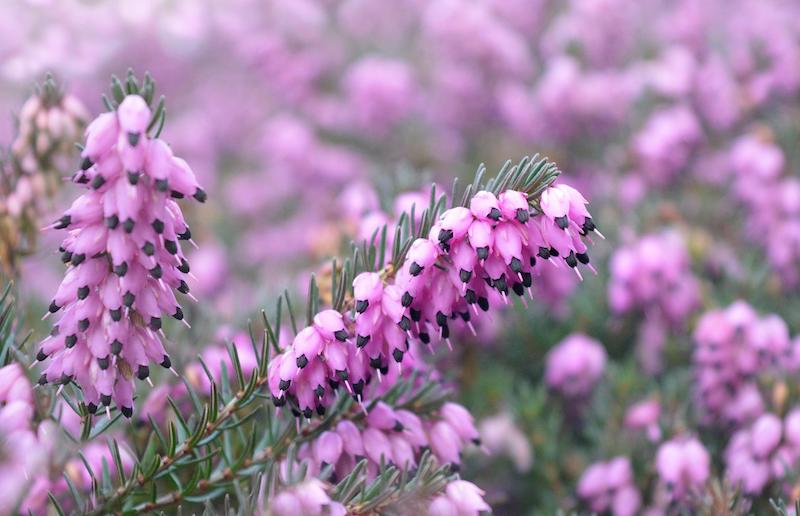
(50, 123)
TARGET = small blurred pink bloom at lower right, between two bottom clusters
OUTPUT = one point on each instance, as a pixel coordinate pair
(683, 466)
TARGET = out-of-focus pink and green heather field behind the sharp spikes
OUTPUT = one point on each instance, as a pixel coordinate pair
(313, 123)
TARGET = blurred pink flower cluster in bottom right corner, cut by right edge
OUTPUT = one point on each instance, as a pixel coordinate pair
(765, 451)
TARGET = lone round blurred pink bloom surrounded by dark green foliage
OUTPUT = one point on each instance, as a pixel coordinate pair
(575, 365)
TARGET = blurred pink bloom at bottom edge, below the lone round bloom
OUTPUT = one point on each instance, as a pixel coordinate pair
(609, 486)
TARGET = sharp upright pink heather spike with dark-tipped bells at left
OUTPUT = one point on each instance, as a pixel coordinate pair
(124, 260)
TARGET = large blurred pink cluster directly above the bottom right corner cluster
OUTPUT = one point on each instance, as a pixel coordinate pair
(732, 346)
